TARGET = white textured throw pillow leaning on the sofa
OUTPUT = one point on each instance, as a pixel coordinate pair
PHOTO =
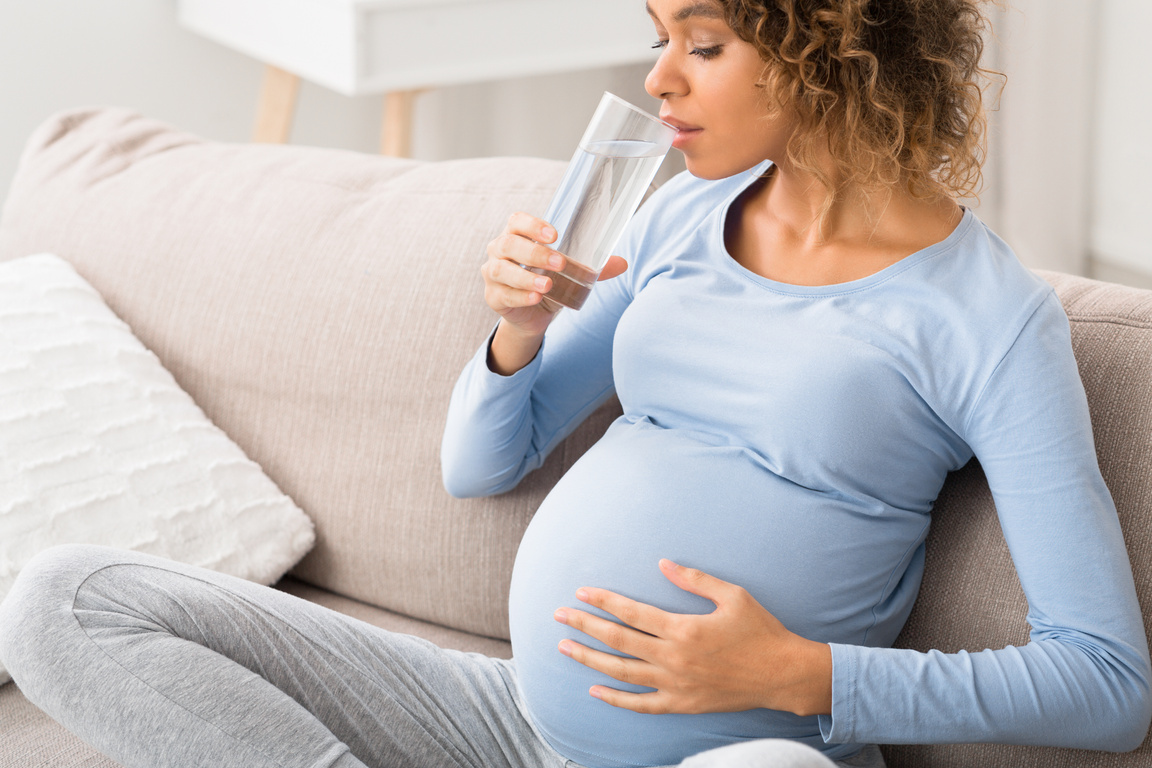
(100, 445)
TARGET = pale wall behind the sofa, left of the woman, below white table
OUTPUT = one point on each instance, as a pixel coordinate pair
(57, 55)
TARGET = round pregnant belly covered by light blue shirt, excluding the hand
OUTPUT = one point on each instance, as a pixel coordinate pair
(645, 493)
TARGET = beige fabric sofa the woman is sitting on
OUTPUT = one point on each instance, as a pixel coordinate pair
(320, 305)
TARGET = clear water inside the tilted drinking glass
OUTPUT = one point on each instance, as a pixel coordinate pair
(613, 177)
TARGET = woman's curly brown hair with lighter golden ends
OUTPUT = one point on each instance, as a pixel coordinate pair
(895, 88)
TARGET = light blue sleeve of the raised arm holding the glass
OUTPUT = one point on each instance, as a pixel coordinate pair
(499, 429)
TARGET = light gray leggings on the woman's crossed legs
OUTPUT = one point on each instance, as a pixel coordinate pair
(157, 664)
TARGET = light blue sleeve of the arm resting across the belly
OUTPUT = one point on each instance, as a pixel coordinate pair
(1083, 679)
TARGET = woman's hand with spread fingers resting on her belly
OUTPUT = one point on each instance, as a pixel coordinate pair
(737, 658)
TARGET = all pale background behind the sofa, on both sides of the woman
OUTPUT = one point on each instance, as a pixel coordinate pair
(1071, 166)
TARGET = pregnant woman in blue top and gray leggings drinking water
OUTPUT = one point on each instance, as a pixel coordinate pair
(807, 333)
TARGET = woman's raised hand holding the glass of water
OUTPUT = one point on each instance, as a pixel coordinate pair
(516, 293)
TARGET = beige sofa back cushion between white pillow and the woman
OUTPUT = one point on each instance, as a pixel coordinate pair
(319, 306)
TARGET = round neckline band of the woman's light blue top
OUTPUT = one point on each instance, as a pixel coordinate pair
(832, 290)
